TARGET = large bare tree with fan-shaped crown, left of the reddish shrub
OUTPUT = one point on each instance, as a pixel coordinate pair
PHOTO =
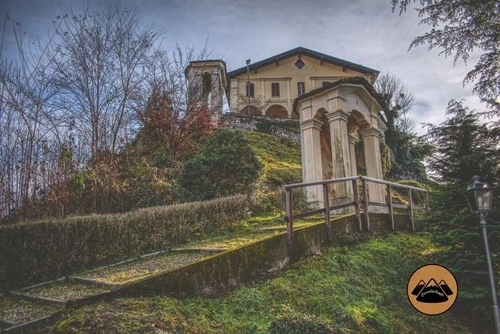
(101, 68)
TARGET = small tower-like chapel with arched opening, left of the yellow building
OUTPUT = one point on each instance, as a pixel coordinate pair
(207, 85)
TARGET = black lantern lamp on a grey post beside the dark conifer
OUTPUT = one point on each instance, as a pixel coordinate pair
(479, 196)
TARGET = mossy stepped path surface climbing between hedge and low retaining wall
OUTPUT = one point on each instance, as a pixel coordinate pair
(24, 310)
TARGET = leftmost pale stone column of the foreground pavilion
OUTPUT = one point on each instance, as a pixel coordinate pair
(311, 159)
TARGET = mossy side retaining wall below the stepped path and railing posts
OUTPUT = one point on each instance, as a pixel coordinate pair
(226, 271)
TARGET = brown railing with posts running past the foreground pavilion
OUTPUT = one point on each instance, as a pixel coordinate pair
(358, 203)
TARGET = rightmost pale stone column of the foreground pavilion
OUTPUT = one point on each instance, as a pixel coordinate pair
(371, 142)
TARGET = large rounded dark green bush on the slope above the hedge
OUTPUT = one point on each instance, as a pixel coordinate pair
(226, 165)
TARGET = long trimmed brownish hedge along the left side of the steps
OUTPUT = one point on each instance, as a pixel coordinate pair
(48, 249)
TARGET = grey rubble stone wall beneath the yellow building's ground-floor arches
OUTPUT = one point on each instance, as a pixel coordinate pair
(279, 127)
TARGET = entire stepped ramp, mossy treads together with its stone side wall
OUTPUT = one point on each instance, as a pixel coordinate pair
(210, 268)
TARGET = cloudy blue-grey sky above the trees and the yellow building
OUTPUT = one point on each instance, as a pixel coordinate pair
(365, 32)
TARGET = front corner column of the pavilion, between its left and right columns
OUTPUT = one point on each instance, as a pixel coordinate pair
(340, 151)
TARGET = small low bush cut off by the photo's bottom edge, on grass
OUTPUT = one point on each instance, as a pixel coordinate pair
(299, 324)
